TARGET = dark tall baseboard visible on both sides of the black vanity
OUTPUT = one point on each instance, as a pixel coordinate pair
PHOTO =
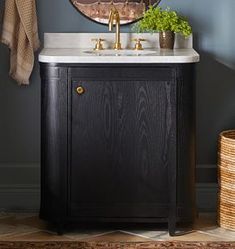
(20, 187)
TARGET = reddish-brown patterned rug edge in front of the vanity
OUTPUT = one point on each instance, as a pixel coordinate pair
(116, 245)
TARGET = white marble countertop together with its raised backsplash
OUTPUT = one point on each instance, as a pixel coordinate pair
(78, 48)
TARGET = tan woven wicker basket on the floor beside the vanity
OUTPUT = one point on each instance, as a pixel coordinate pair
(226, 173)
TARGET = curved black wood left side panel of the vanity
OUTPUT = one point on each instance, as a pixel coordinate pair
(53, 143)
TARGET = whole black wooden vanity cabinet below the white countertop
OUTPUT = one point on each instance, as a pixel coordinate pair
(117, 143)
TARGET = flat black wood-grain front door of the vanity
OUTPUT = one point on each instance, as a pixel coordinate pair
(121, 143)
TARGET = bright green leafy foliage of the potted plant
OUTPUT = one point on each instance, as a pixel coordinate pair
(158, 19)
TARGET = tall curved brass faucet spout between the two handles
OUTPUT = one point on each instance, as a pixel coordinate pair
(114, 17)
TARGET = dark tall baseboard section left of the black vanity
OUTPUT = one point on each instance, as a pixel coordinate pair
(20, 186)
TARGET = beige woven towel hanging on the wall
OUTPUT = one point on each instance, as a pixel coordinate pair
(20, 34)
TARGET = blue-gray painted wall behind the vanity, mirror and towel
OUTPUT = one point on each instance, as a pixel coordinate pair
(213, 24)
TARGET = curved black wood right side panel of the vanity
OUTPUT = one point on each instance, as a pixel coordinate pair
(186, 138)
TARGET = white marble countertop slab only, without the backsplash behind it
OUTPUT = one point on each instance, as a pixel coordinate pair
(74, 55)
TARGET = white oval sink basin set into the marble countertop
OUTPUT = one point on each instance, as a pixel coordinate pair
(126, 52)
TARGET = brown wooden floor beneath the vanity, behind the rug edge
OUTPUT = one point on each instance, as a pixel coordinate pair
(28, 227)
